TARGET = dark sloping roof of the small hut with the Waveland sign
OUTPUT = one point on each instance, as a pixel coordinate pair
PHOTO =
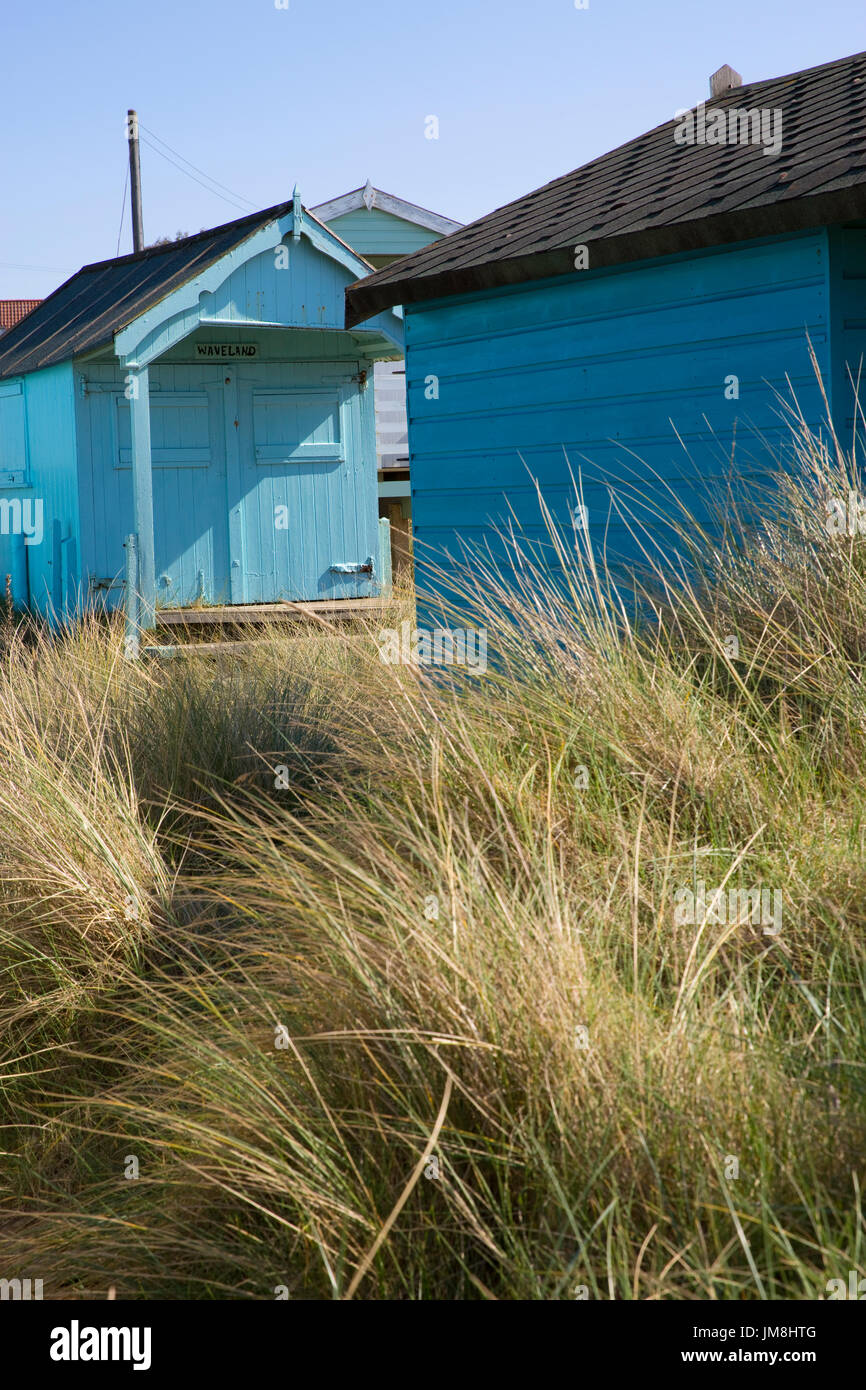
(101, 300)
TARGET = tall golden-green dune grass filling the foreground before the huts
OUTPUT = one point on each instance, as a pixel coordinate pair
(377, 976)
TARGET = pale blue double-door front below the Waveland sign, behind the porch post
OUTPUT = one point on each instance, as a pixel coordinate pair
(258, 475)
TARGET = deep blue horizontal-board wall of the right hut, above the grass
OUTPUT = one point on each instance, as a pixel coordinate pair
(618, 376)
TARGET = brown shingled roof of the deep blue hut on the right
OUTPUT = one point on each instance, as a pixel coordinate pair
(654, 197)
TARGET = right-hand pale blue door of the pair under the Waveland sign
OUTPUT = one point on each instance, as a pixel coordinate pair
(302, 526)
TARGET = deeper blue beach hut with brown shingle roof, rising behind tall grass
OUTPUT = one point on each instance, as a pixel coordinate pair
(639, 320)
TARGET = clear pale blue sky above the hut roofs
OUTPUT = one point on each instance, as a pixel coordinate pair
(330, 92)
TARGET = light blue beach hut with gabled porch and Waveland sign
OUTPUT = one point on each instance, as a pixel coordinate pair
(206, 398)
